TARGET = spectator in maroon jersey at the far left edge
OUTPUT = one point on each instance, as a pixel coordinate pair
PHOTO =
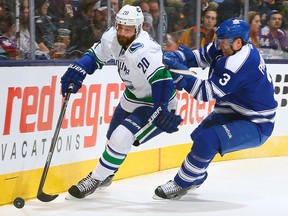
(7, 39)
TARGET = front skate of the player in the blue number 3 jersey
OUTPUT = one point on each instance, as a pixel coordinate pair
(170, 190)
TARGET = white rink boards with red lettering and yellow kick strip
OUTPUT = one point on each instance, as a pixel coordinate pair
(30, 106)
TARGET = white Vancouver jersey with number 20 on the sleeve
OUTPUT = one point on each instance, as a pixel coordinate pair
(137, 66)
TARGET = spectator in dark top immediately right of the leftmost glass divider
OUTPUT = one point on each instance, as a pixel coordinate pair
(45, 31)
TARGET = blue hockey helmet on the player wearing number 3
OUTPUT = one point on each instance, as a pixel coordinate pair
(234, 28)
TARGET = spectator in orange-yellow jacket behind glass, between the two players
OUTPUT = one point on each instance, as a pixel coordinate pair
(207, 33)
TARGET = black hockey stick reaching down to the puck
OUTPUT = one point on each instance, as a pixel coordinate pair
(40, 194)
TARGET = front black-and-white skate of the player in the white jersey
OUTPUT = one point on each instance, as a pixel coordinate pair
(84, 187)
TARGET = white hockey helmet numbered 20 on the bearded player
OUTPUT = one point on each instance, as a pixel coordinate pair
(130, 15)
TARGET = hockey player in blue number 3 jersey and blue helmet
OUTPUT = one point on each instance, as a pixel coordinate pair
(244, 112)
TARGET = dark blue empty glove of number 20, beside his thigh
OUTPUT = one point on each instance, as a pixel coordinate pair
(165, 120)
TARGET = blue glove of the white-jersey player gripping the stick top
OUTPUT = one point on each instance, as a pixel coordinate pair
(75, 74)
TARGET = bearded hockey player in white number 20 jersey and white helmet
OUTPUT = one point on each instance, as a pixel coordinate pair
(149, 101)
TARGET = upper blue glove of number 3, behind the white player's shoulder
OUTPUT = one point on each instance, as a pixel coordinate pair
(175, 60)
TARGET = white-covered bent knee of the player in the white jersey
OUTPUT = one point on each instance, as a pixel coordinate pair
(121, 140)
